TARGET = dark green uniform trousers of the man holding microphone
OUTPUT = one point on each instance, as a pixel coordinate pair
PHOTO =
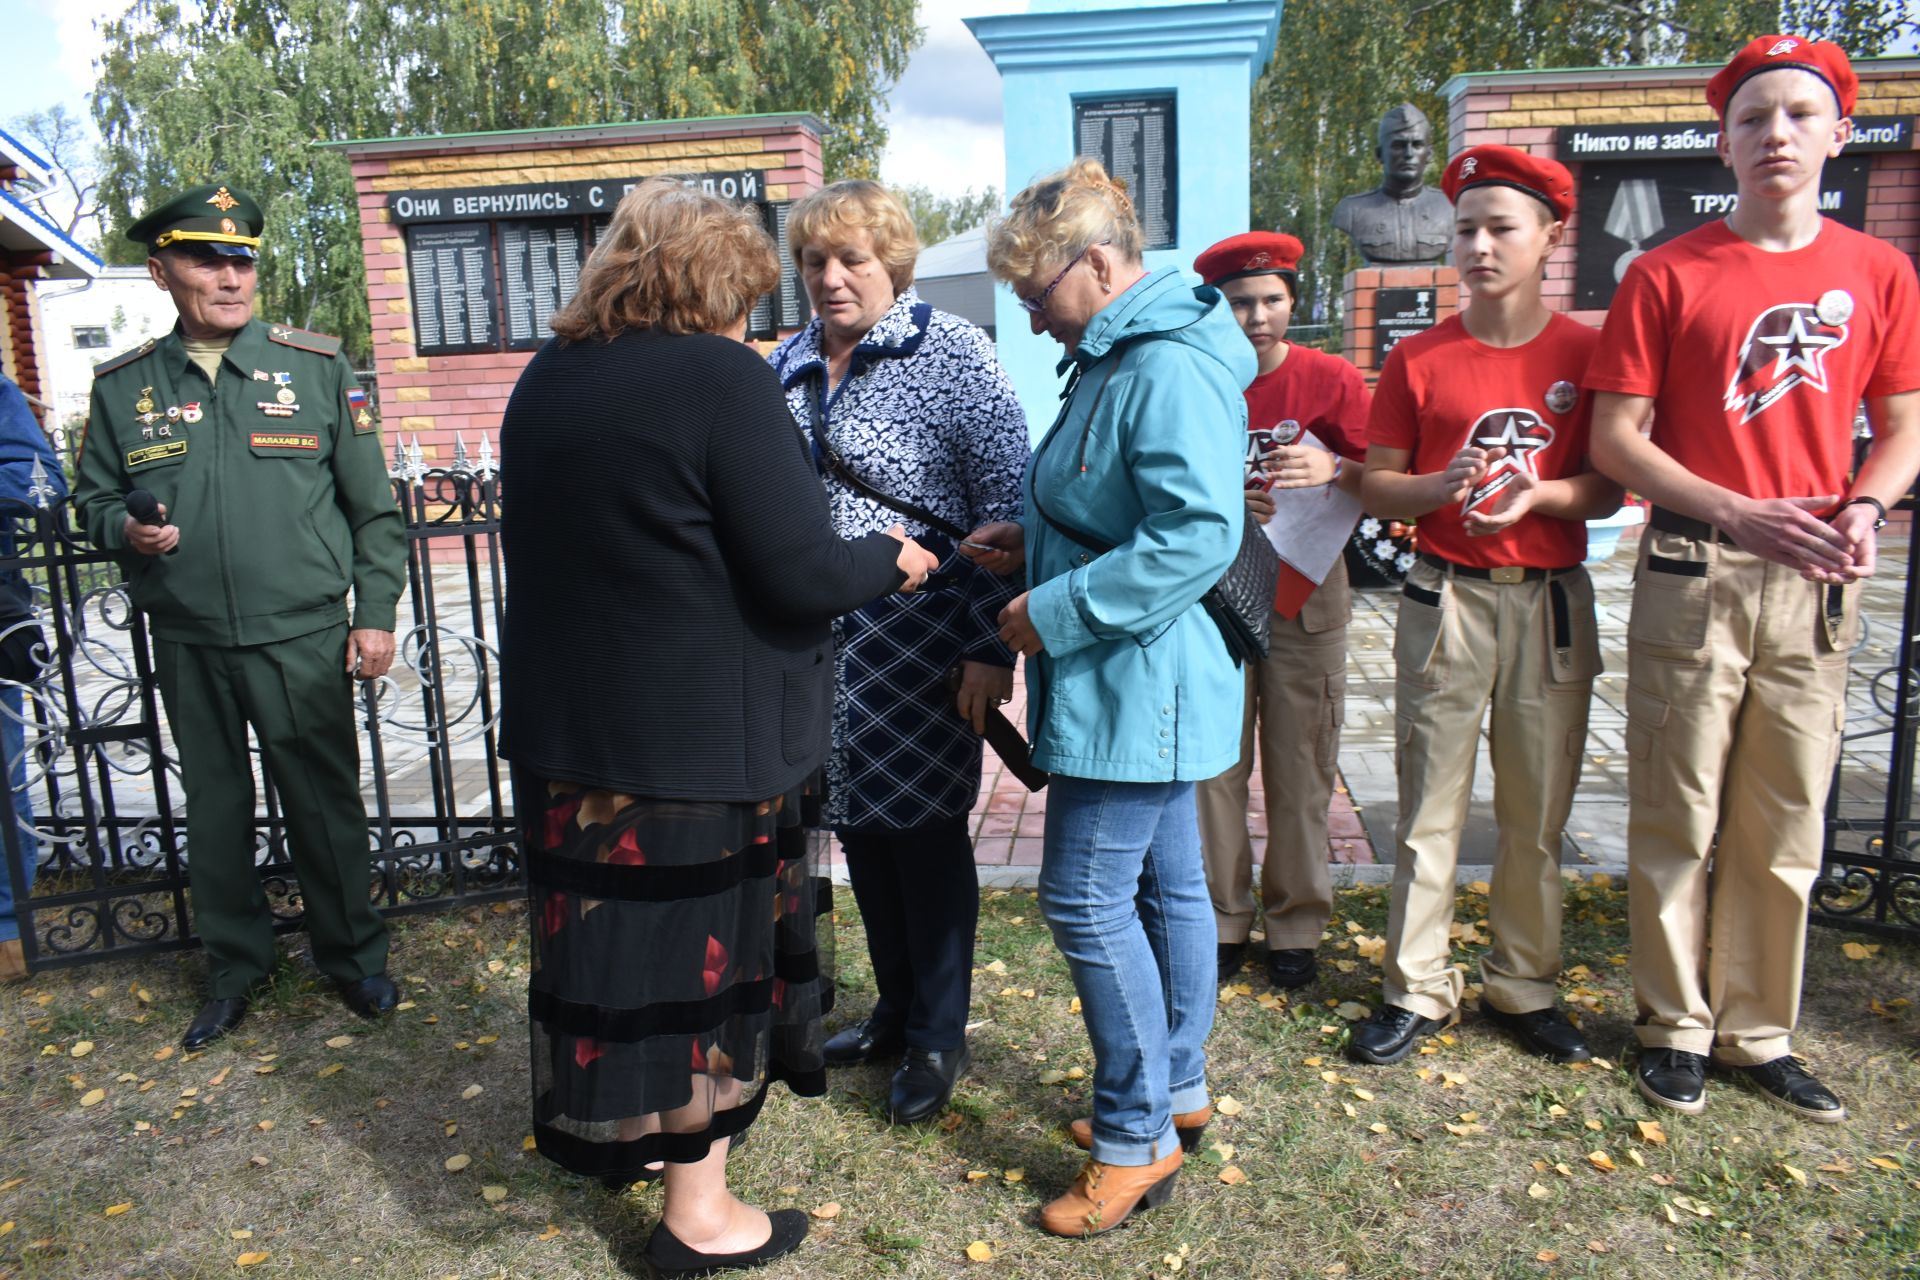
(300, 701)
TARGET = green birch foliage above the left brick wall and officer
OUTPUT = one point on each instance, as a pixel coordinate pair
(245, 89)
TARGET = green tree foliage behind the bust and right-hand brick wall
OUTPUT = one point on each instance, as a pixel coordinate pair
(1341, 66)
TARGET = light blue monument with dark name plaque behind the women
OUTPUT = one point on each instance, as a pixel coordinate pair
(1155, 89)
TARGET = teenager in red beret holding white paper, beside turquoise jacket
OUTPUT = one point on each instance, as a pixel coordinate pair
(1307, 417)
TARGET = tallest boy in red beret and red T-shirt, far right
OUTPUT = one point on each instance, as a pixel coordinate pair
(1752, 343)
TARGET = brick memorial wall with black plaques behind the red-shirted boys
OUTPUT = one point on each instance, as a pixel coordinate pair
(1652, 126)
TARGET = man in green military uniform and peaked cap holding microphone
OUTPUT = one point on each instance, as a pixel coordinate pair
(274, 500)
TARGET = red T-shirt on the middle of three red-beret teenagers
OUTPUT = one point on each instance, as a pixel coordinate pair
(1445, 391)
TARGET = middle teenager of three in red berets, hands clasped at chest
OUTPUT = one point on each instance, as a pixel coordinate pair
(1479, 433)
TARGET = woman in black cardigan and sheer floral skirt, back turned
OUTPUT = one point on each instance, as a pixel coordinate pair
(665, 684)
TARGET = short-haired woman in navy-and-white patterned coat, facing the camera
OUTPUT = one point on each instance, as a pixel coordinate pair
(911, 402)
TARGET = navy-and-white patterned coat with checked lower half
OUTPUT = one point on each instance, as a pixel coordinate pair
(924, 415)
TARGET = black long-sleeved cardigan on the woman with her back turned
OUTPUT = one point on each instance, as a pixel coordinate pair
(671, 573)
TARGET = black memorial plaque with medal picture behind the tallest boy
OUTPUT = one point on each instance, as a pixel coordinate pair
(1627, 210)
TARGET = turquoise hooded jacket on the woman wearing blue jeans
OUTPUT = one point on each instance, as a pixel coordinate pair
(1136, 682)
